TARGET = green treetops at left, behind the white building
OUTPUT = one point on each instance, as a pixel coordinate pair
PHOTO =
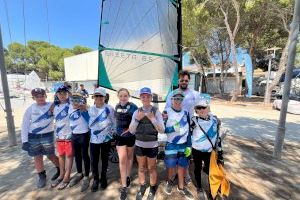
(46, 59)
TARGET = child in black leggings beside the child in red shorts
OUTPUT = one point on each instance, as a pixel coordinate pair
(79, 118)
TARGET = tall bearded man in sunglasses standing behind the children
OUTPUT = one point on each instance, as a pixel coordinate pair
(191, 97)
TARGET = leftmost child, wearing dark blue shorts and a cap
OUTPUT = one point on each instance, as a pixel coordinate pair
(38, 136)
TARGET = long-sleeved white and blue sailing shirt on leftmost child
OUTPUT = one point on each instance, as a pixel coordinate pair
(37, 120)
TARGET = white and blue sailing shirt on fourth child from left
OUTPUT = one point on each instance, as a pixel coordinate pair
(102, 123)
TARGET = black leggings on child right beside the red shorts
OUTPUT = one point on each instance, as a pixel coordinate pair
(81, 152)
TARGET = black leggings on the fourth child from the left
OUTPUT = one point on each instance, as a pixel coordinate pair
(95, 153)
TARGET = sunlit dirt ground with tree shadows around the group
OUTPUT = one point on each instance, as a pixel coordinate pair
(251, 169)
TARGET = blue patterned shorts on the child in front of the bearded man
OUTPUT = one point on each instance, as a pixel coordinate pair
(174, 155)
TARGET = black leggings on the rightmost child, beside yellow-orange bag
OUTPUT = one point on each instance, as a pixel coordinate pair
(198, 157)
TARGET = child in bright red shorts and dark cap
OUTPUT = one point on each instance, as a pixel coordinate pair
(63, 135)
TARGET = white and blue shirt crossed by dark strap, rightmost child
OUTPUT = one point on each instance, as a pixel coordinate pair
(199, 140)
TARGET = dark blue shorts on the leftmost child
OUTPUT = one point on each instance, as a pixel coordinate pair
(41, 144)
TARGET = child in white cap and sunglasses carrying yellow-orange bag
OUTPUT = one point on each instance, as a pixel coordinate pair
(204, 139)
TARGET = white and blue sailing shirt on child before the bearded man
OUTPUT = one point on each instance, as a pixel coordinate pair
(177, 126)
